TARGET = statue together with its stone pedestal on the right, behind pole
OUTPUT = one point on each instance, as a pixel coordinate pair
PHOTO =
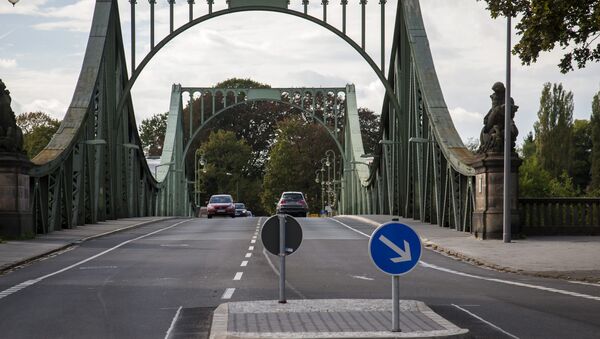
(489, 170)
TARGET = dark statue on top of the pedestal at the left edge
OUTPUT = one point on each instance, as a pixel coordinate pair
(11, 136)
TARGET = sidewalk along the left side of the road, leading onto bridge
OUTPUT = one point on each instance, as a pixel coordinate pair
(16, 253)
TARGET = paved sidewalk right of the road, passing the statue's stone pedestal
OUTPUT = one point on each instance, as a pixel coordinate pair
(565, 257)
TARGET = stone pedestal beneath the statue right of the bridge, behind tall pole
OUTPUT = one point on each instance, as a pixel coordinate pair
(489, 186)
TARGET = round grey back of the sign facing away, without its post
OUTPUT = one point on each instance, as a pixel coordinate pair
(269, 235)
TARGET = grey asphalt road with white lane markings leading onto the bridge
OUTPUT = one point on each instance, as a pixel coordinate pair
(164, 280)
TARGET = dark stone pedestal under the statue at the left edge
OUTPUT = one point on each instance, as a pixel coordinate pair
(15, 210)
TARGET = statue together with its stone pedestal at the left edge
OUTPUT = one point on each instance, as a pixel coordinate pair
(15, 210)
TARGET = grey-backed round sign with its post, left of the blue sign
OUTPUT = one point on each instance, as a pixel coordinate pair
(281, 235)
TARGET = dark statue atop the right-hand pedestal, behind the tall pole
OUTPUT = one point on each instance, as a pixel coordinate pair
(492, 133)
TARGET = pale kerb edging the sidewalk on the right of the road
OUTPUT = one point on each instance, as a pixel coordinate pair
(429, 244)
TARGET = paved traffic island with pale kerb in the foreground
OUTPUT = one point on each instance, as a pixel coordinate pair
(258, 311)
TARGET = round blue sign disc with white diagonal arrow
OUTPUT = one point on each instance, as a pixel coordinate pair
(395, 248)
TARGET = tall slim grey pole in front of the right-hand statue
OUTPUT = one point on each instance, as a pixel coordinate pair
(507, 140)
